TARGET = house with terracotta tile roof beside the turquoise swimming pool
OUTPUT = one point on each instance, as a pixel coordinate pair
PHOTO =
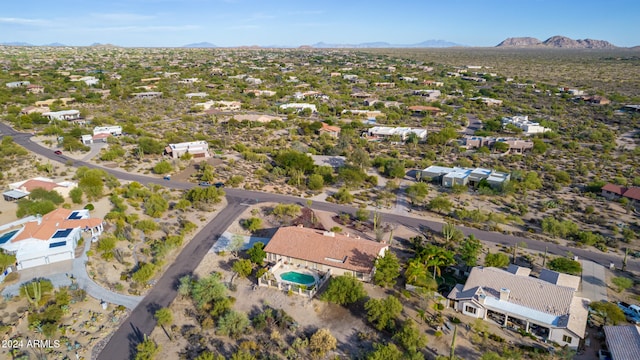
(322, 251)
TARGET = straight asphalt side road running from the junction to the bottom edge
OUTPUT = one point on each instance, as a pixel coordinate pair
(141, 321)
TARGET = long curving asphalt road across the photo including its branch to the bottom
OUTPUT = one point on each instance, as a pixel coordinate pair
(141, 321)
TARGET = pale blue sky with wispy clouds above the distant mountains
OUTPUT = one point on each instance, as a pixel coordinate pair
(294, 23)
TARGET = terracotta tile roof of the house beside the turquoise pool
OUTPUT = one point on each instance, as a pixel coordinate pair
(338, 251)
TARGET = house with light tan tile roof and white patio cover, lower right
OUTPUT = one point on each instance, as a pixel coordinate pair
(517, 301)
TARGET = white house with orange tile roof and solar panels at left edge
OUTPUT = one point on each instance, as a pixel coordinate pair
(41, 240)
